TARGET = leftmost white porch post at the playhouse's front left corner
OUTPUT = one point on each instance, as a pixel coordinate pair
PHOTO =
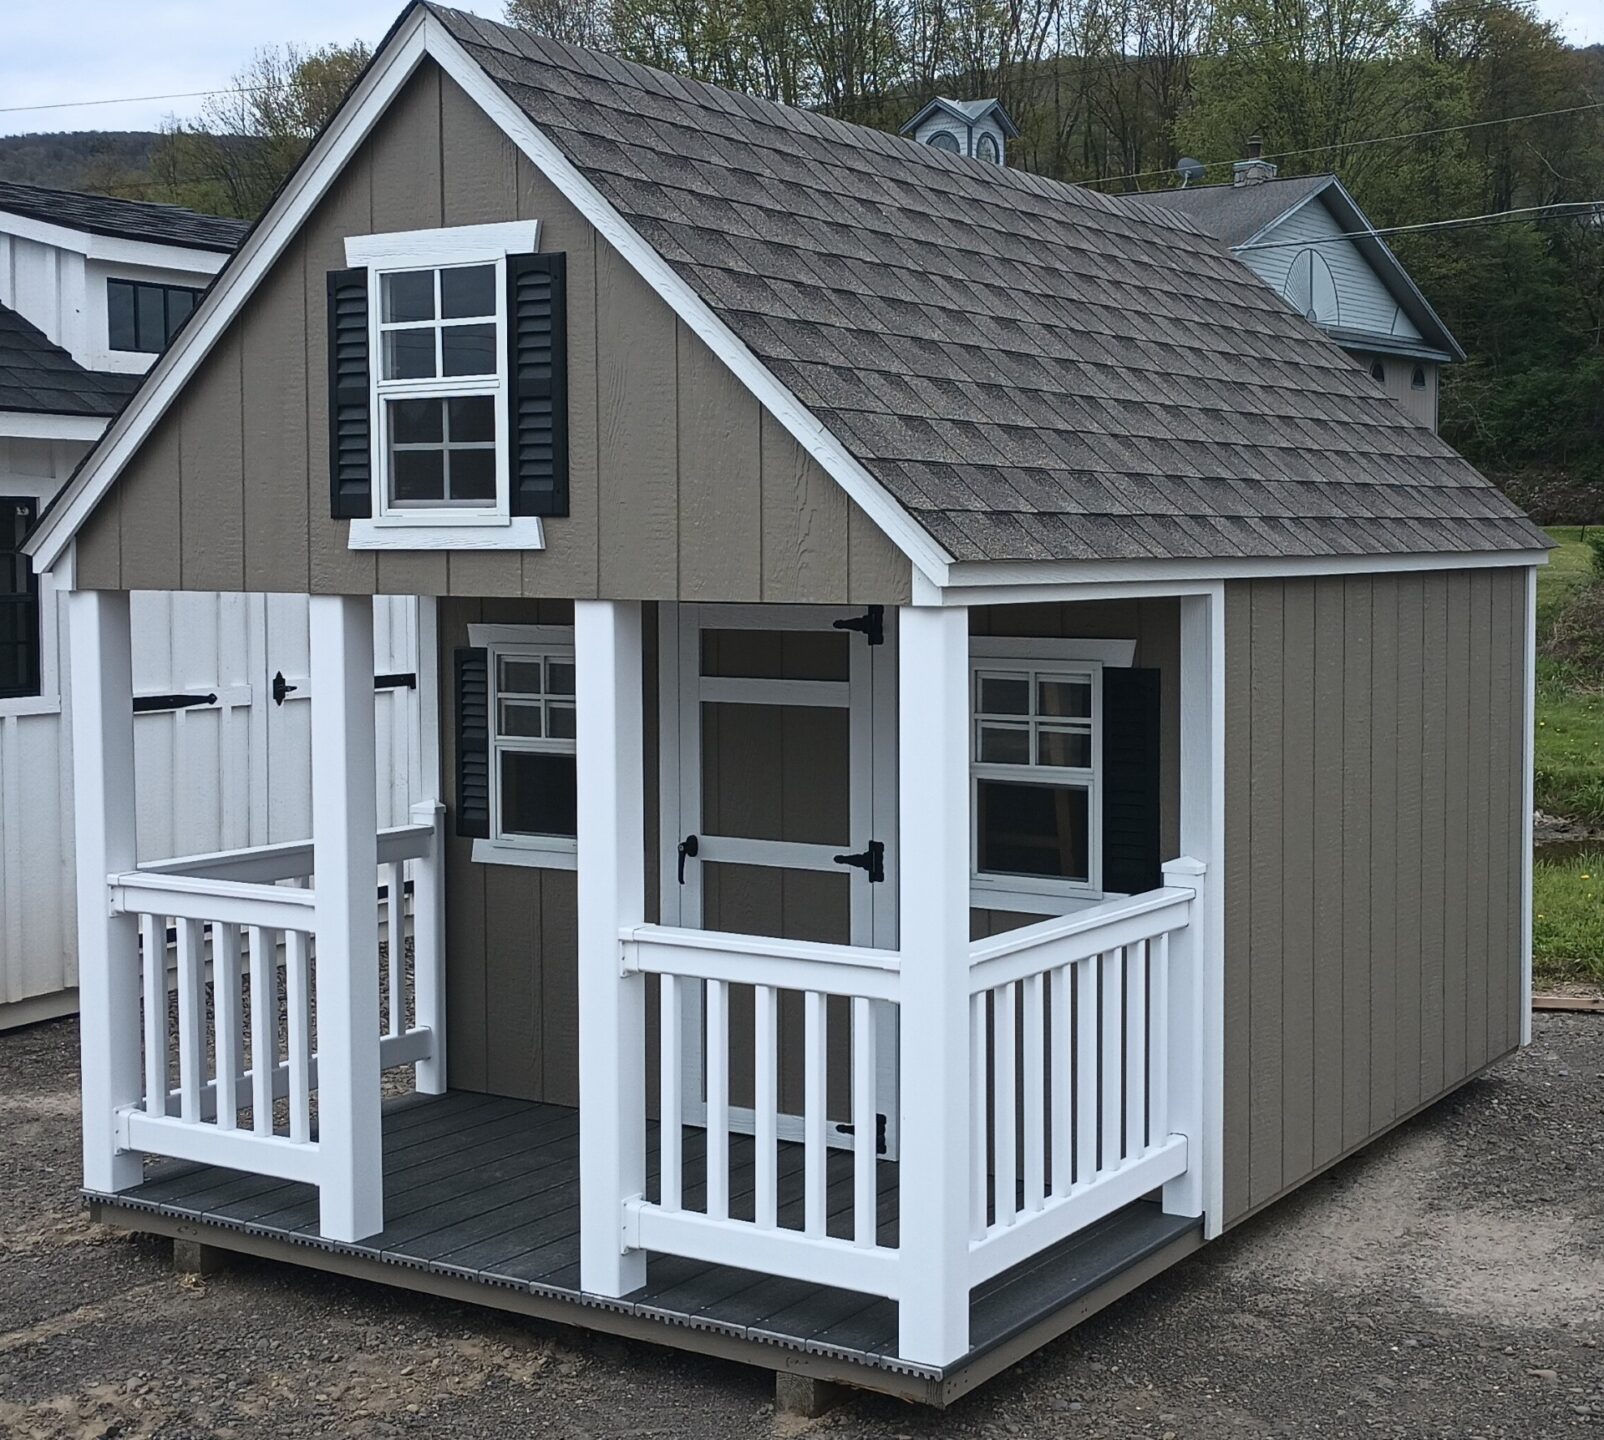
(105, 820)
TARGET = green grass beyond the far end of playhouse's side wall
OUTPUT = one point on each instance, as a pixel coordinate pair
(1568, 921)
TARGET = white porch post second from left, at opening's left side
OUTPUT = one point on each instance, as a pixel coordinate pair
(346, 864)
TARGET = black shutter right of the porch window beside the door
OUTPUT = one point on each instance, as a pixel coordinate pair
(1132, 758)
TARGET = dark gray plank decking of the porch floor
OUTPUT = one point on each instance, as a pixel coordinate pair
(487, 1191)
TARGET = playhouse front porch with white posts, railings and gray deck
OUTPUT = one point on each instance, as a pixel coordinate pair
(905, 1130)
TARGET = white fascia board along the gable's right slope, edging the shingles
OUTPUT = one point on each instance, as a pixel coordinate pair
(904, 532)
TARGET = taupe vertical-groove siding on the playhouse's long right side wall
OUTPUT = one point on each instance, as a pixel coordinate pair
(1374, 751)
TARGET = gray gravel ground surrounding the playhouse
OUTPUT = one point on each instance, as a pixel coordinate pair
(1448, 1284)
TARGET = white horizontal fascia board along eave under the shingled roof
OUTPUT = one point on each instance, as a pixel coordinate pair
(1032, 581)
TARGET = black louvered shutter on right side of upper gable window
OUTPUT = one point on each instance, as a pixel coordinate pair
(538, 376)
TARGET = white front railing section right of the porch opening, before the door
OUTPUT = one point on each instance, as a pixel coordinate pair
(697, 974)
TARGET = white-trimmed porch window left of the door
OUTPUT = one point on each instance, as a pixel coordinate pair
(533, 729)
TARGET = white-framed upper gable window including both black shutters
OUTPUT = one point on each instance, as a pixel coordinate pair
(448, 403)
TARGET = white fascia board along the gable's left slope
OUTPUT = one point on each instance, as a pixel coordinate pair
(232, 289)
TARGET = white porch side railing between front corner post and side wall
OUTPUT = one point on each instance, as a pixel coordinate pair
(1077, 1025)
